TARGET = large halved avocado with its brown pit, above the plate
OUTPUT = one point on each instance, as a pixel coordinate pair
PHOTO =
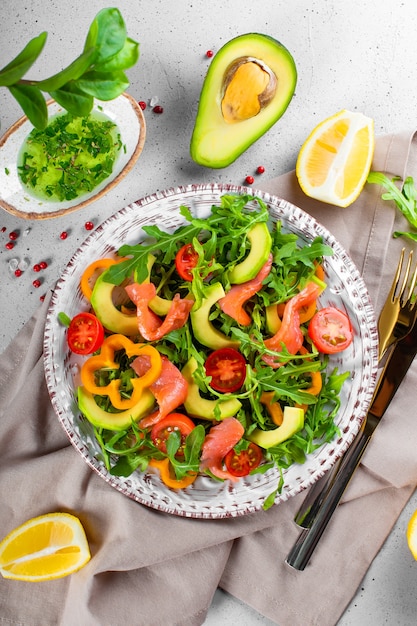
(248, 87)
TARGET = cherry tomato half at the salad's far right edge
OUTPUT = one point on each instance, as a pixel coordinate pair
(330, 330)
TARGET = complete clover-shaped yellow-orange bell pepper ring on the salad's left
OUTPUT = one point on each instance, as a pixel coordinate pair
(106, 360)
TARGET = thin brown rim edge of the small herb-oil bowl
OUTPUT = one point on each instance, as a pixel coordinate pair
(32, 215)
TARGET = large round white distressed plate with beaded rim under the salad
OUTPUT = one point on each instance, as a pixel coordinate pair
(207, 498)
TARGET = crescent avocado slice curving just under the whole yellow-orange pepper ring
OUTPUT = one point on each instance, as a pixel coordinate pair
(113, 421)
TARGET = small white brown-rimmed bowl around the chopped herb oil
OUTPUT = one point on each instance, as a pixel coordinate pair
(124, 111)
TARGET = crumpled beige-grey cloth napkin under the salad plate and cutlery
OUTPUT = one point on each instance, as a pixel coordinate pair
(153, 569)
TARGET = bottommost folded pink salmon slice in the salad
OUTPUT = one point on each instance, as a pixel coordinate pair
(219, 440)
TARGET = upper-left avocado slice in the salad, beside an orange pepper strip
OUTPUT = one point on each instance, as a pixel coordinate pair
(108, 314)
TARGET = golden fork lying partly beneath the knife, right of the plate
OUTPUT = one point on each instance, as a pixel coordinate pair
(396, 320)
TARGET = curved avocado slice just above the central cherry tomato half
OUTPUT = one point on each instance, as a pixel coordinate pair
(203, 329)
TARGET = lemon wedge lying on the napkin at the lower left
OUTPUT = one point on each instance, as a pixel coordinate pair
(44, 548)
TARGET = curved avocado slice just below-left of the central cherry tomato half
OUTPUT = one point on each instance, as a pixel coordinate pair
(196, 406)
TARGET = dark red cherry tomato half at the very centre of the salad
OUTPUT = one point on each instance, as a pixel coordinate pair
(227, 367)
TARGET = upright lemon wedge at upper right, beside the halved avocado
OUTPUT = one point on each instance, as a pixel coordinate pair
(335, 160)
